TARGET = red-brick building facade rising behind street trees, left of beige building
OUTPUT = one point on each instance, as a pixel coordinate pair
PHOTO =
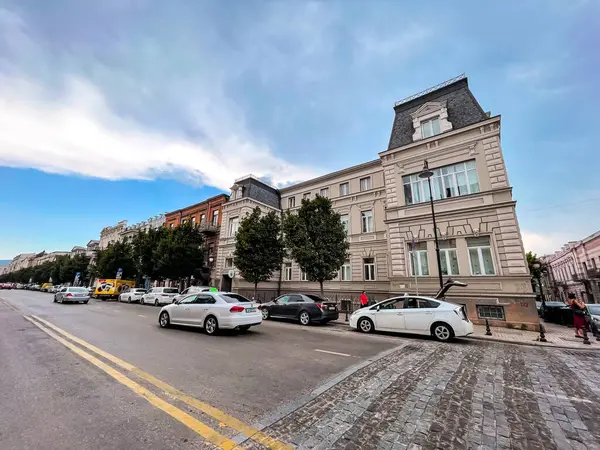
(207, 215)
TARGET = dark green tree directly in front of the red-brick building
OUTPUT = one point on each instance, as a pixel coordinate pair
(180, 252)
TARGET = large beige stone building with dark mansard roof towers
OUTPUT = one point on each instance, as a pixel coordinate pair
(385, 206)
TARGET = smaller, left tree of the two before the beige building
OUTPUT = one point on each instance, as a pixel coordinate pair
(259, 249)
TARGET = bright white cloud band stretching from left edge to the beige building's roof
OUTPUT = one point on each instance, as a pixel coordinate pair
(78, 134)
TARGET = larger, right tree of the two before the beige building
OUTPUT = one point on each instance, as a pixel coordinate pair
(316, 239)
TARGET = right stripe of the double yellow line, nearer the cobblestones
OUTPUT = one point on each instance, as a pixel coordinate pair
(253, 433)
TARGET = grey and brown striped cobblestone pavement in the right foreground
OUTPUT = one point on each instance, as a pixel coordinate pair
(464, 395)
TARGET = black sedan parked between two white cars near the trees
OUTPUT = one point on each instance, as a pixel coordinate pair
(305, 308)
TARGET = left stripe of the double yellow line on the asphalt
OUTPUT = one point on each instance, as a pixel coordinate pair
(194, 424)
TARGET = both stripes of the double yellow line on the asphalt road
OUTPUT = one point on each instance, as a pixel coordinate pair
(194, 424)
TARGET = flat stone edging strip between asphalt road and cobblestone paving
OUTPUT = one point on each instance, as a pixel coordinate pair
(293, 406)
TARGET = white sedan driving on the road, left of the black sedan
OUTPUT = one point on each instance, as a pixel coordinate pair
(212, 311)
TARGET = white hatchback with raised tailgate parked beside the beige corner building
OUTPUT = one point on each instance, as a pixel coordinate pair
(415, 315)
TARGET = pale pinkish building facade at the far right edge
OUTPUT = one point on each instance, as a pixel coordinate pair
(574, 269)
